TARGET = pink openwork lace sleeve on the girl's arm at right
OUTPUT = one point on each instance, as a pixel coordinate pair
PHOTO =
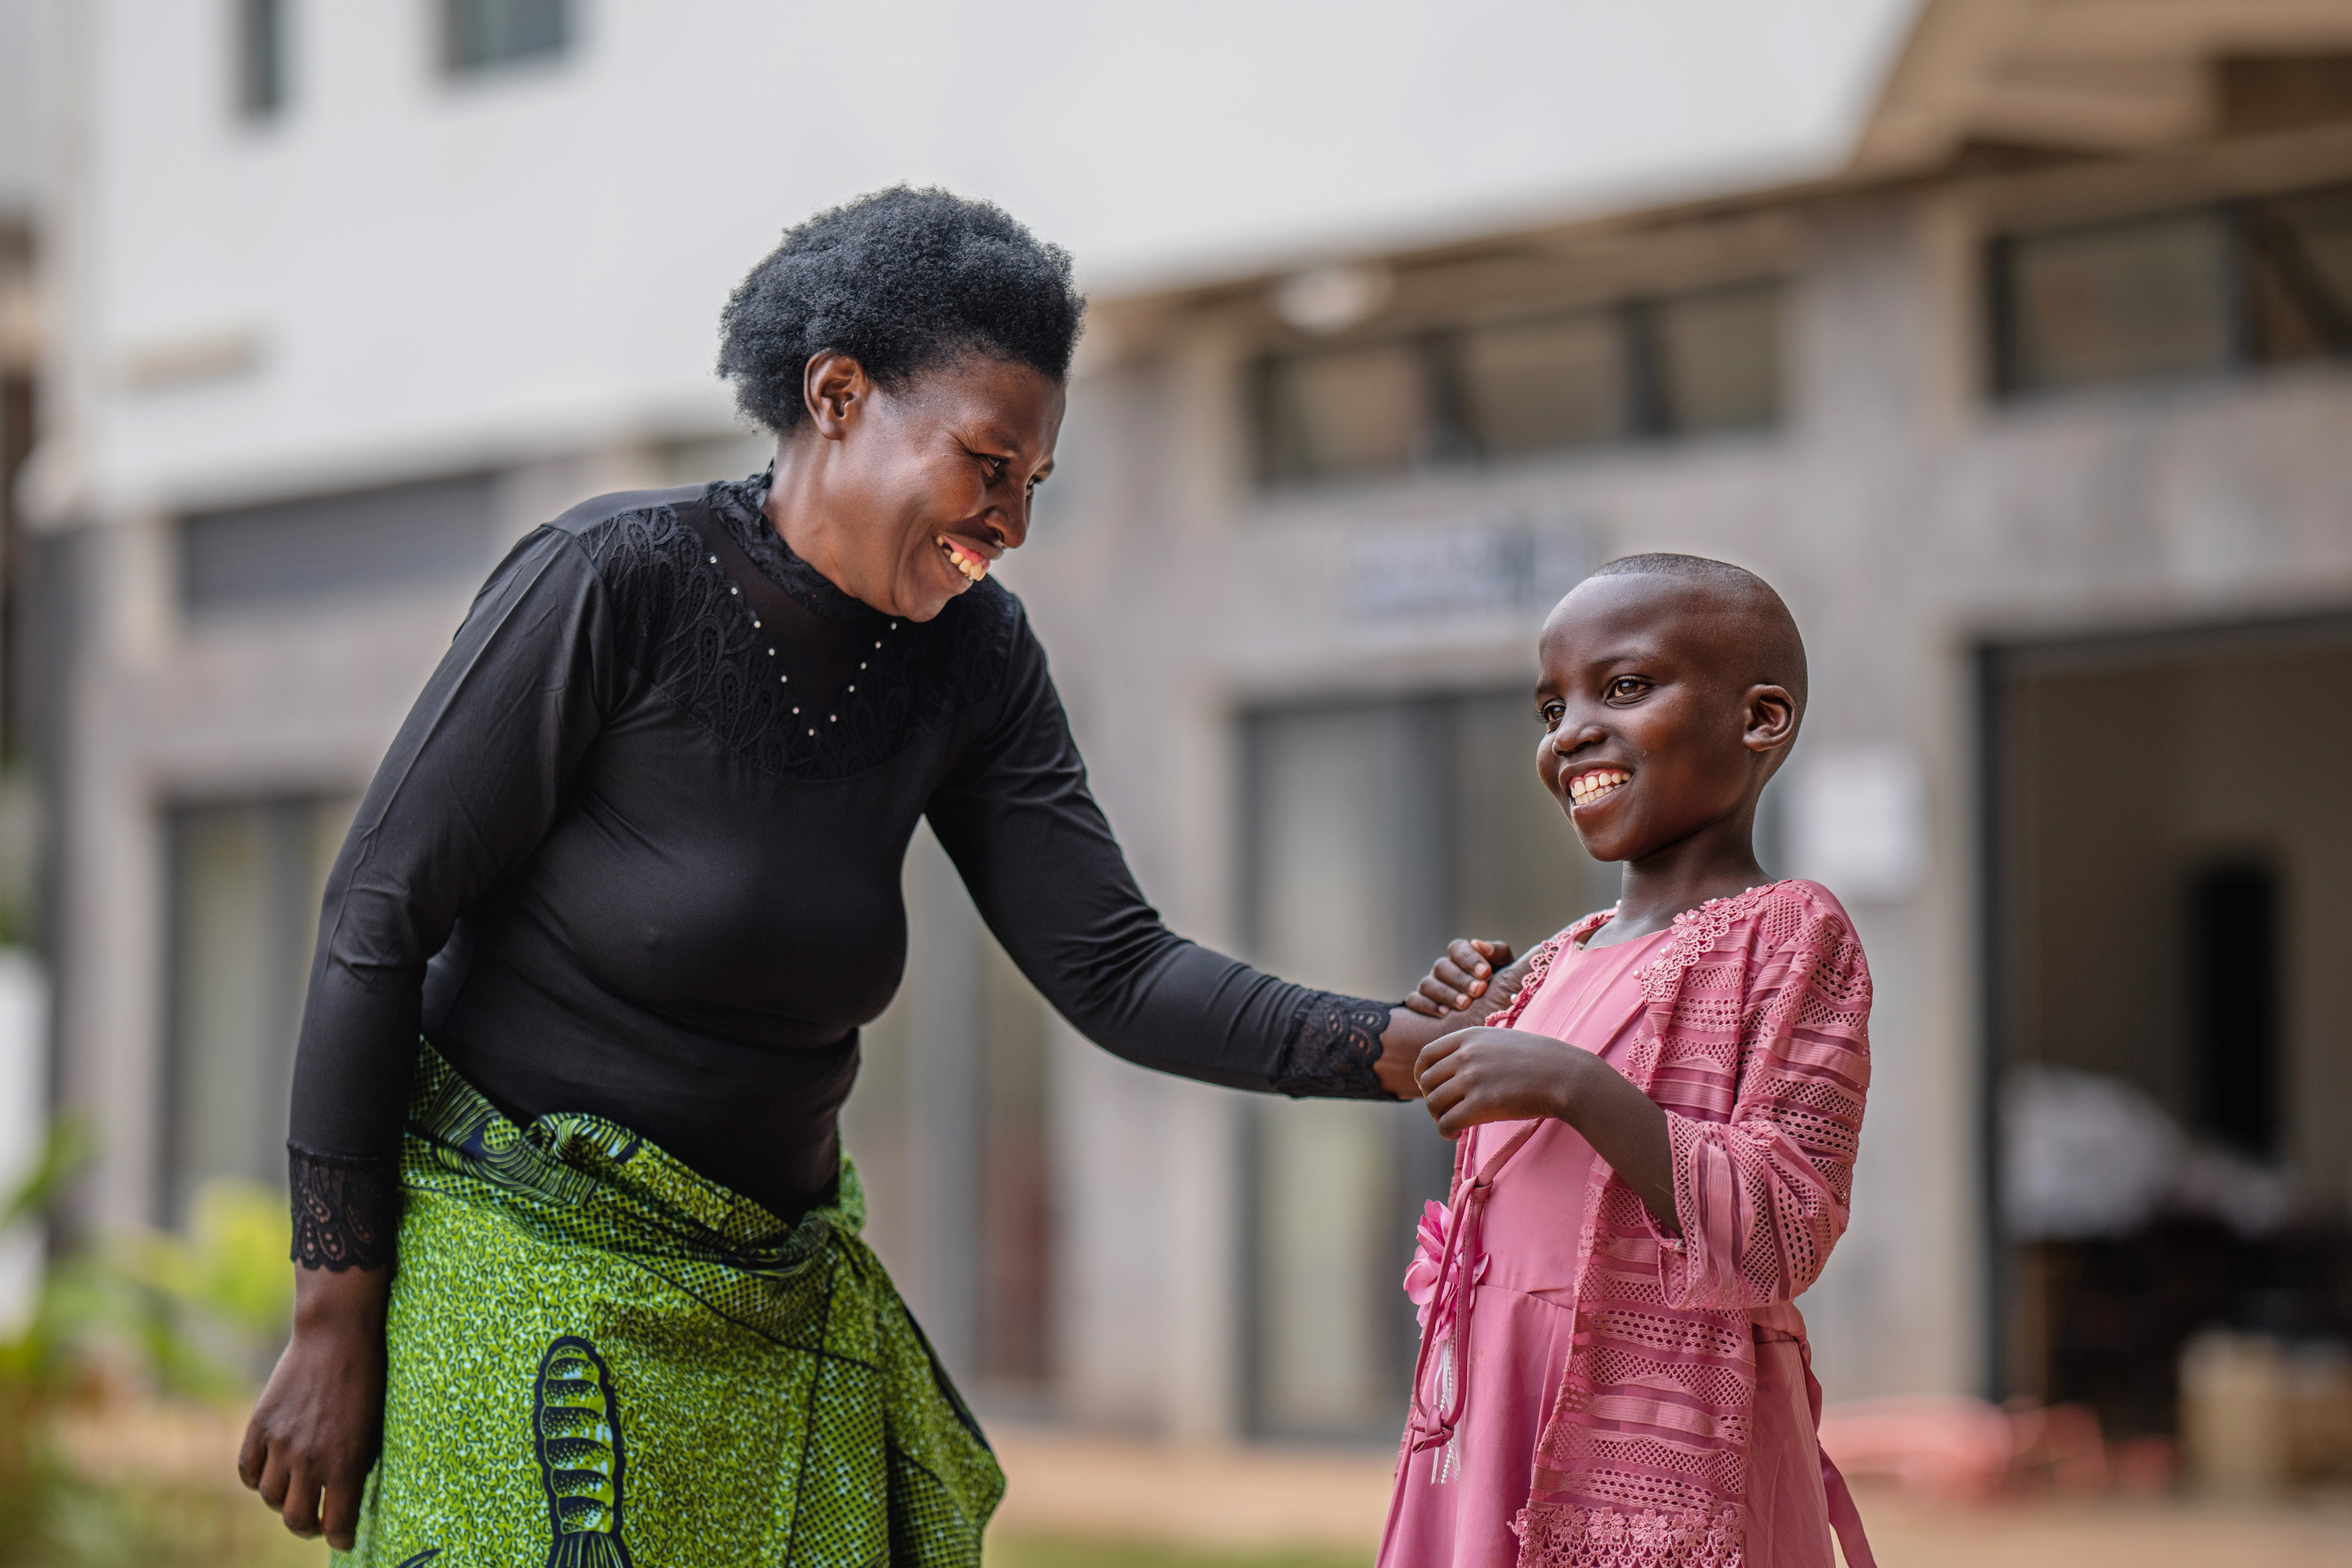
(1765, 1195)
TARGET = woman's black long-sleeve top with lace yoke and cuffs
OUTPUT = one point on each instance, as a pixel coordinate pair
(639, 852)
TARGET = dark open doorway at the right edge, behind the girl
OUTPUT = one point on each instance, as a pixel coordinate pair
(2170, 1068)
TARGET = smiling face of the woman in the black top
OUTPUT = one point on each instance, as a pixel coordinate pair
(909, 495)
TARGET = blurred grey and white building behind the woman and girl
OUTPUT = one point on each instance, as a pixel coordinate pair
(2029, 389)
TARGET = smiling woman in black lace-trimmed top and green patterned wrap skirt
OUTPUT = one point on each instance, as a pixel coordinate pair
(632, 873)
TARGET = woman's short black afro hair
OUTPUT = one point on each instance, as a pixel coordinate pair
(902, 281)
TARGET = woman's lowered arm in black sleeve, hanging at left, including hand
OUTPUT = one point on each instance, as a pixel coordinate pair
(469, 786)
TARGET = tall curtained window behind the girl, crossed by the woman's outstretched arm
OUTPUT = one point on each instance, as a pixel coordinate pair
(1377, 831)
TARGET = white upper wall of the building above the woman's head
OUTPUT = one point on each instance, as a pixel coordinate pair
(406, 274)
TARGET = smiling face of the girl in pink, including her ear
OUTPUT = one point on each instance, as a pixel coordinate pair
(1650, 735)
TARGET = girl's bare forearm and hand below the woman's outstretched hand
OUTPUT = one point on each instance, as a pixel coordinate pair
(1511, 1076)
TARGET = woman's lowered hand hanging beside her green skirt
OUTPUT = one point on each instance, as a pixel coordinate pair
(316, 1430)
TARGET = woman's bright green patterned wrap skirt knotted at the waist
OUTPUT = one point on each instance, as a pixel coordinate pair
(601, 1358)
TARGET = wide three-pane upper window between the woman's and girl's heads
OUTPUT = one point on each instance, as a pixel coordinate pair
(1650, 368)
